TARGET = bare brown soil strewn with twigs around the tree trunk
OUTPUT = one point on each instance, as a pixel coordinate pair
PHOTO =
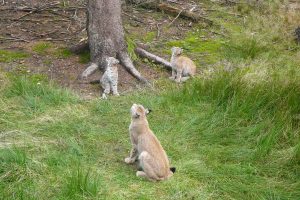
(25, 23)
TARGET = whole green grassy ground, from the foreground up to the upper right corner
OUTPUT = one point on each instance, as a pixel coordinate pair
(232, 133)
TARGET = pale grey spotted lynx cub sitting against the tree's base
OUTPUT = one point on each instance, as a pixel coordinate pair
(109, 80)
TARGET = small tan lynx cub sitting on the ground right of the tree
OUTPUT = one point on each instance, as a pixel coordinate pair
(182, 67)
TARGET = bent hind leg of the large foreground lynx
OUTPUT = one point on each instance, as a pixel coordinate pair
(148, 165)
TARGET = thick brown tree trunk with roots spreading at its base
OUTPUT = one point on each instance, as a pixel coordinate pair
(106, 36)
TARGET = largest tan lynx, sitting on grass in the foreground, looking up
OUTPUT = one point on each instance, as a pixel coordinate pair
(147, 148)
